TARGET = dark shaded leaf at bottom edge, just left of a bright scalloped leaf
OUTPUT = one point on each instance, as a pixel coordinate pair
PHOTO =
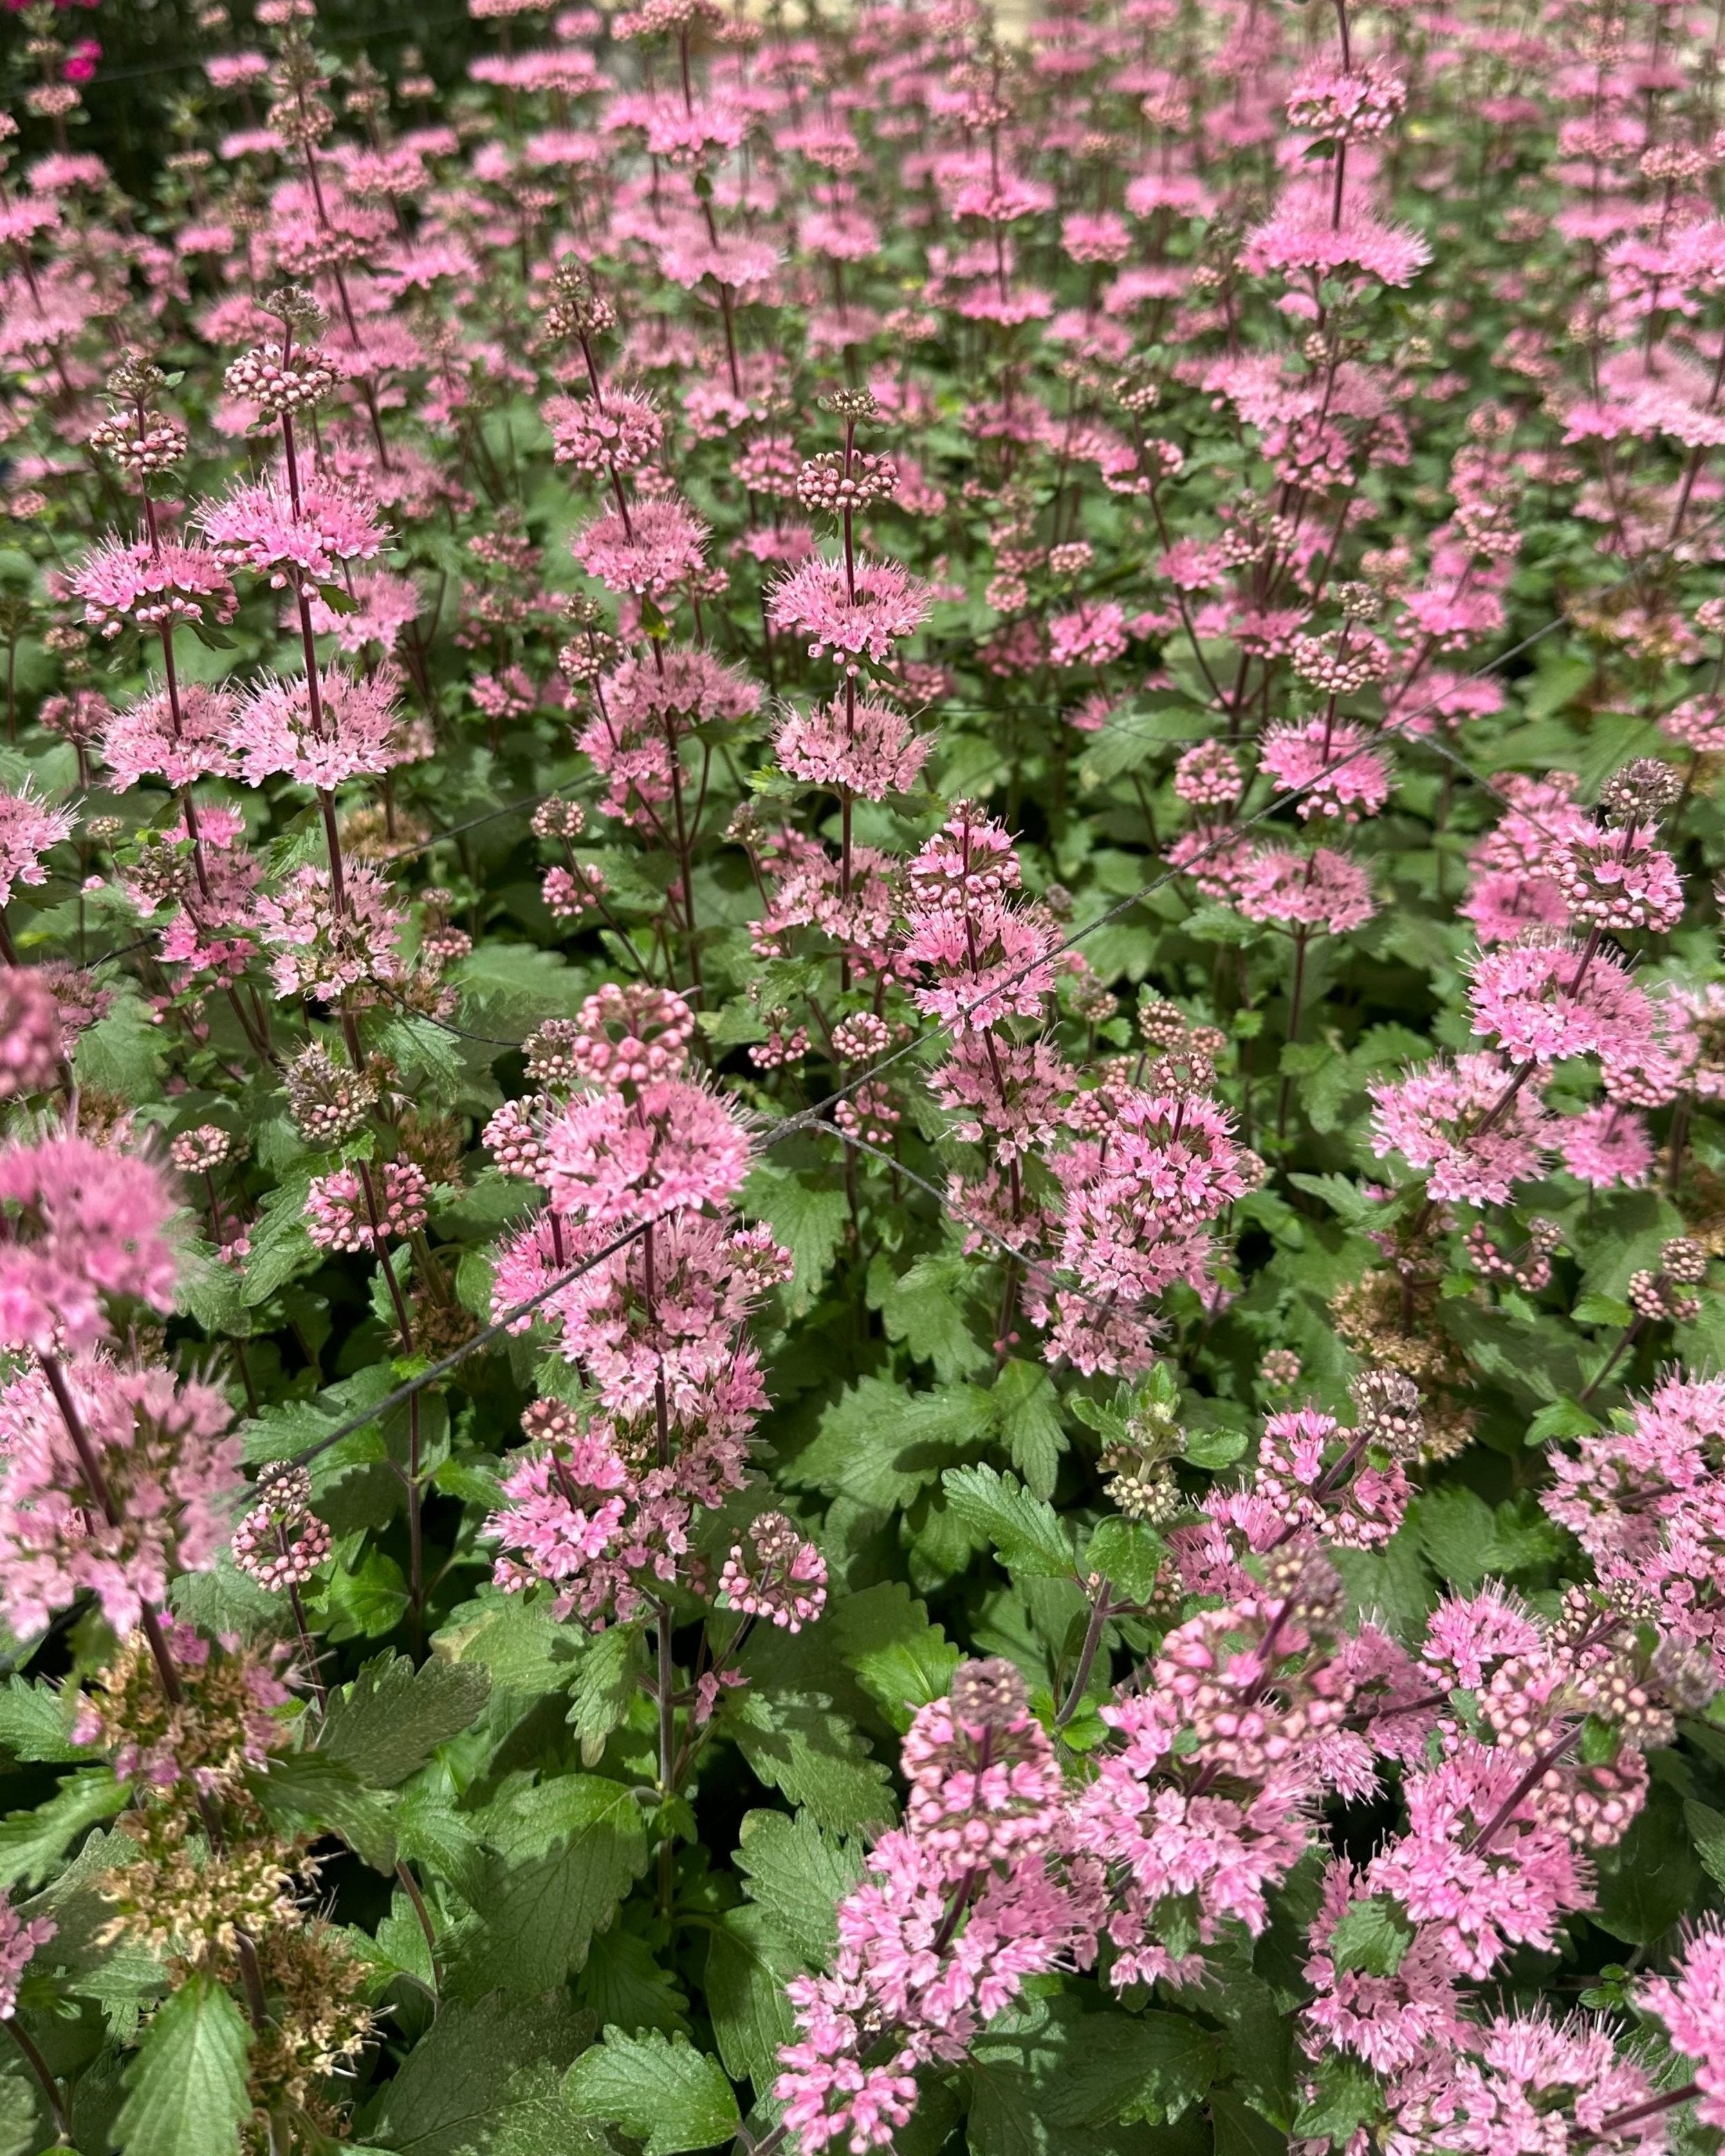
(488, 2082)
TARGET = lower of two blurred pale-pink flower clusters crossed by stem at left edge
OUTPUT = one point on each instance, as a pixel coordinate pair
(169, 1469)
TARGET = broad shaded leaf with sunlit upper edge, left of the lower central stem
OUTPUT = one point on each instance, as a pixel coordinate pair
(564, 1857)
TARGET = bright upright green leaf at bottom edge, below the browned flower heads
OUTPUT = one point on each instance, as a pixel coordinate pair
(187, 2090)
